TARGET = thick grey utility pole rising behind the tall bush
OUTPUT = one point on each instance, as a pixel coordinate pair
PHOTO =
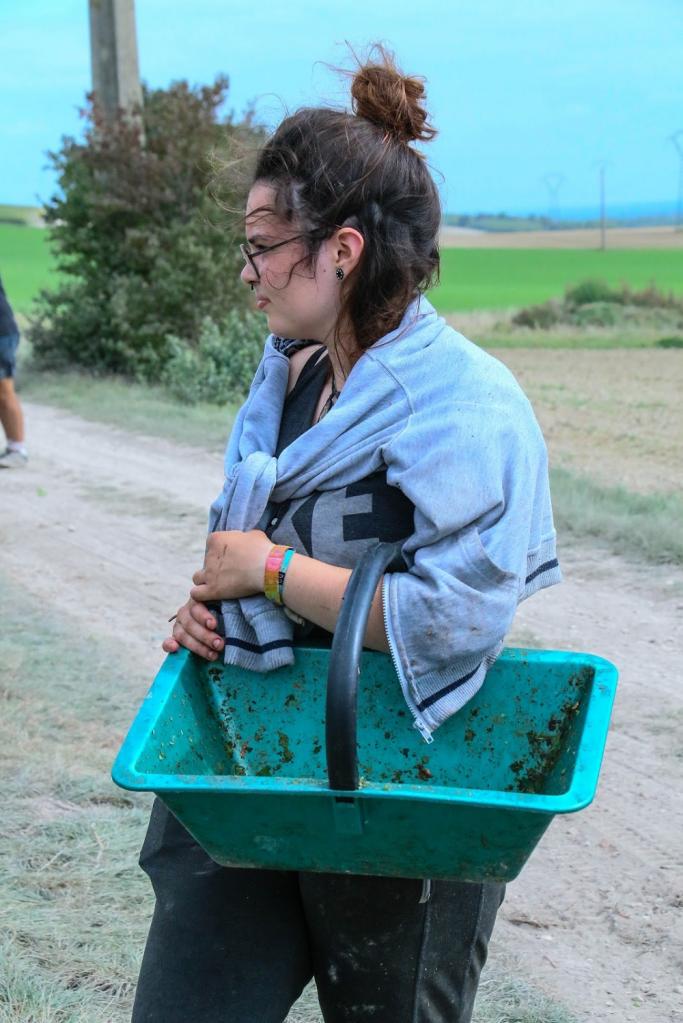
(114, 53)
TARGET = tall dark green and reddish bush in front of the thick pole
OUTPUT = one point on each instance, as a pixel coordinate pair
(144, 249)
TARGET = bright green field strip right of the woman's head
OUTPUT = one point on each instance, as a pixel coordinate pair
(502, 279)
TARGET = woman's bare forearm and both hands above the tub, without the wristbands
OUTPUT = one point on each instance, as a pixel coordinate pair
(235, 567)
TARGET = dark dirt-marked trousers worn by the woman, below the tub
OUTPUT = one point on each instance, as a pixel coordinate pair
(232, 946)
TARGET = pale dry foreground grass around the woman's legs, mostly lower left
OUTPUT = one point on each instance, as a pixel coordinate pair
(76, 908)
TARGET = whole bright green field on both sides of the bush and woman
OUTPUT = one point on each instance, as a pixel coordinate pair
(472, 279)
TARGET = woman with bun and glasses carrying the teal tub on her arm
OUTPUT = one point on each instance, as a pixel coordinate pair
(377, 423)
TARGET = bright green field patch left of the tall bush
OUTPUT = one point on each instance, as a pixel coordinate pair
(26, 264)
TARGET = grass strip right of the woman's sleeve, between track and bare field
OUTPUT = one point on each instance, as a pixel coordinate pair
(648, 526)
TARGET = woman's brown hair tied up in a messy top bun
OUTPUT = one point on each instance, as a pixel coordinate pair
(331, 168)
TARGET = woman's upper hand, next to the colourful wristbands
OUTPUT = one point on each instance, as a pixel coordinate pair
(235, 566)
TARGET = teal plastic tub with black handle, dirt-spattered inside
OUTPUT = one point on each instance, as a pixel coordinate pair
(244, 761)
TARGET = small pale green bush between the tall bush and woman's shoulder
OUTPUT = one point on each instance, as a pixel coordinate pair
(219, 369)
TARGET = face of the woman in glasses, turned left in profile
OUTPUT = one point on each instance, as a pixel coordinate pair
(300, 300)
